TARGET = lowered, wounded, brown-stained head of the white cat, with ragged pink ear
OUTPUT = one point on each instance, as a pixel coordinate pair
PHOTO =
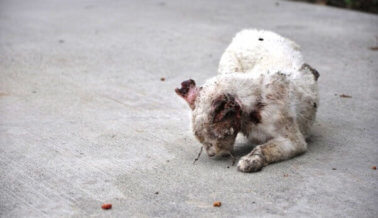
(216, 117)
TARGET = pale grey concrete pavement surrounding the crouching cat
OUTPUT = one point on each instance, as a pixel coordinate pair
(85, 118)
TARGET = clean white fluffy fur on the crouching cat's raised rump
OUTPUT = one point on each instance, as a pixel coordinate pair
(260, 51)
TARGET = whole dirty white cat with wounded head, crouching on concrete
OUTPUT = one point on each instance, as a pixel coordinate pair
(272, 108)
